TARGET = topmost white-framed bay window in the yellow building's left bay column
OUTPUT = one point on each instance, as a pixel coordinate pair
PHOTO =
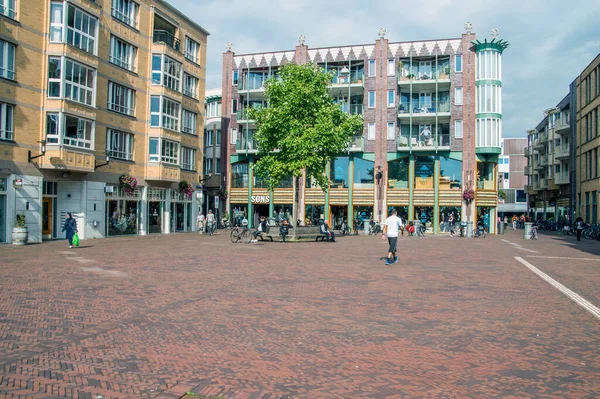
(82, 28)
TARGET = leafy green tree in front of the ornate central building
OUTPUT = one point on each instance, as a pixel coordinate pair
(302, 128)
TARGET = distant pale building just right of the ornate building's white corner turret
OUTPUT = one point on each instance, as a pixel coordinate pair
(512, 199)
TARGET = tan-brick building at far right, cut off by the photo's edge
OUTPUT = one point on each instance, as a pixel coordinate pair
(586, 93)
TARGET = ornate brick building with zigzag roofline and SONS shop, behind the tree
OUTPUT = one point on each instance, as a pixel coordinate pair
(433, 123)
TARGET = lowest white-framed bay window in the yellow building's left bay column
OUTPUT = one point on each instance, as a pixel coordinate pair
(69, 130)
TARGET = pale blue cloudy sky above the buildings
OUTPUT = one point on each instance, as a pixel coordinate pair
(551, 41)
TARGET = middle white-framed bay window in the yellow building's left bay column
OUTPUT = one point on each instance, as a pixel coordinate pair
(74, 82)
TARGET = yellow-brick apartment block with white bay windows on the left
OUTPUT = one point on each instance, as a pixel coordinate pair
(90, 91)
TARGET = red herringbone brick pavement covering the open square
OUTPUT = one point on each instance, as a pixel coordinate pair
(159, 316)
